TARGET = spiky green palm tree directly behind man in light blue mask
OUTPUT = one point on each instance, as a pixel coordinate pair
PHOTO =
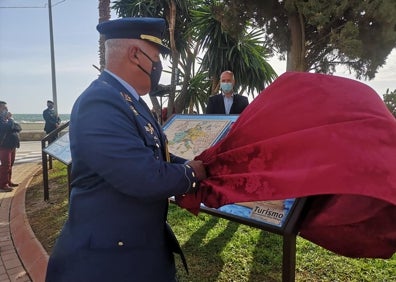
(229, 45)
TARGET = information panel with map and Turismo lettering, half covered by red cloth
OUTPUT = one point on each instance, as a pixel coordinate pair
(190, 135)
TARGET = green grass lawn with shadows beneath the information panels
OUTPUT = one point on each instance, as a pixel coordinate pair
(216, 249)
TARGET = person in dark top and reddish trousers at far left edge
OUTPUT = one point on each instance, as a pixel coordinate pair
(9, 141)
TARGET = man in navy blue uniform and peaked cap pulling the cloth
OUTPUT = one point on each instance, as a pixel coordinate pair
(122, 173)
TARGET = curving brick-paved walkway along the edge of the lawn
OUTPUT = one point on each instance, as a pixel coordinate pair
(22, 258)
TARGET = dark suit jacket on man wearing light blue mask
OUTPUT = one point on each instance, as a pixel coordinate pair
(216, 104)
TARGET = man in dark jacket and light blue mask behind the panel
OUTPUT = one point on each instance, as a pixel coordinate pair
(227, 102)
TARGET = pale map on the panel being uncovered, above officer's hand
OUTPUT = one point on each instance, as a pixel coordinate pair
(187, 138)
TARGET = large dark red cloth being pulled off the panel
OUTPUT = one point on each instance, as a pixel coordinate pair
(313, 135)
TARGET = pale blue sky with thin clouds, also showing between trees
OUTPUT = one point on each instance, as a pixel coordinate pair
(25, 54)
